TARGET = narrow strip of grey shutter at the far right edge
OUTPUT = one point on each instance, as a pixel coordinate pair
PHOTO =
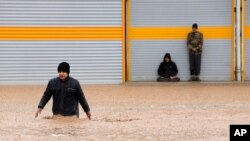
(248, 41)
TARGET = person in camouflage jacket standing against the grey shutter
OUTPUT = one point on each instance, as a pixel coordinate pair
(194, 44)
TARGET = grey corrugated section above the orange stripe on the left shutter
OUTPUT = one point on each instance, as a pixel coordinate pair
(60, 12)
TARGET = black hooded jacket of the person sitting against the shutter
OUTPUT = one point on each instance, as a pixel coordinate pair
(167, 69)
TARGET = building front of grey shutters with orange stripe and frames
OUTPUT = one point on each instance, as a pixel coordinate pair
(113, 41)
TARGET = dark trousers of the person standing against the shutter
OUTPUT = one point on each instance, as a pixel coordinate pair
(195, 64)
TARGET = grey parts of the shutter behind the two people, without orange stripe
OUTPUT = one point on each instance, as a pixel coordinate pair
(147, 55)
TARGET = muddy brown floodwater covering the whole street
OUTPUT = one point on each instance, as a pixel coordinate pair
(130, 112)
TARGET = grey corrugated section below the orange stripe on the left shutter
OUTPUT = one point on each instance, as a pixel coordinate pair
(36, 61)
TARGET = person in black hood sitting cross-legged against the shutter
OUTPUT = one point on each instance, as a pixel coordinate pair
(167, 70)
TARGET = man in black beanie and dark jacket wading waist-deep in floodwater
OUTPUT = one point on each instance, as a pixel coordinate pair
(66, 92)
